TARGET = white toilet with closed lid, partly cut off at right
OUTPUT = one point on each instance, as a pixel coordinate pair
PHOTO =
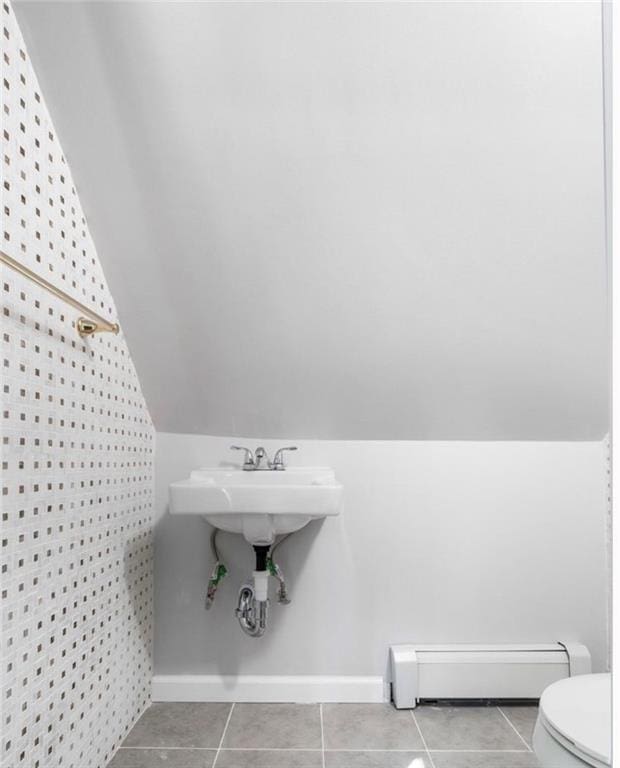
(573, 729)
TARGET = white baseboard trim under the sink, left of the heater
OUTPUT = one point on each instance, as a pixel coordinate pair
(270, 688)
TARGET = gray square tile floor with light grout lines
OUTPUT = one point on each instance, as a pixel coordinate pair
(329, 736)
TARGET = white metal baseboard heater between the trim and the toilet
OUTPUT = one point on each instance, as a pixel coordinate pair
(481, 671)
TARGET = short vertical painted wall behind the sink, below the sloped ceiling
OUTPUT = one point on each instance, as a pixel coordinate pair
(438, 542)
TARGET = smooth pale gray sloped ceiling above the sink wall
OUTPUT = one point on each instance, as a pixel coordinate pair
(344, 220)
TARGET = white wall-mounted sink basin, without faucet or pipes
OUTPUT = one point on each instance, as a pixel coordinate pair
(260, 505)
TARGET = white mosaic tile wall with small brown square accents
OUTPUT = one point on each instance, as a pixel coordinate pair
(77, 468)
